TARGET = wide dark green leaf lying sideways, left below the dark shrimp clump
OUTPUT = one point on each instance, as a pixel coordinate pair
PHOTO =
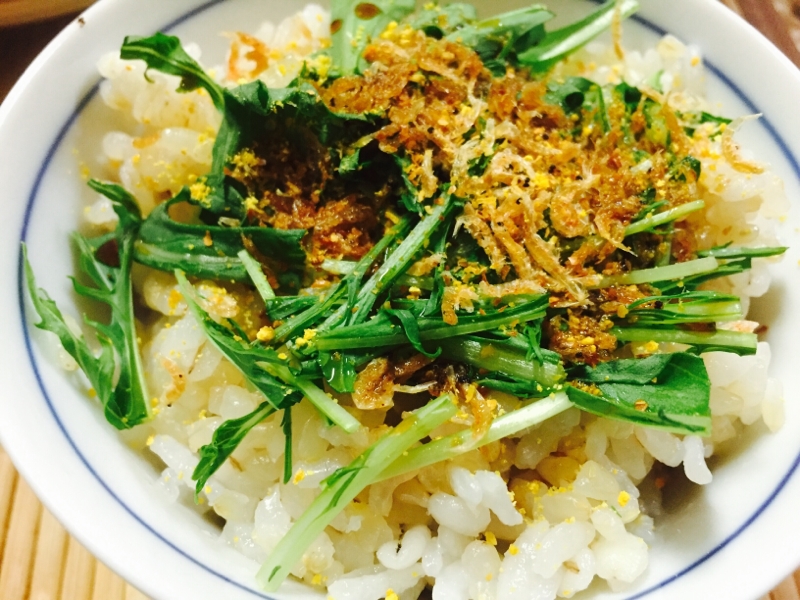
(166, 244)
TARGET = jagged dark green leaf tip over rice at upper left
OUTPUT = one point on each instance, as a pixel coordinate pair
(164, 53)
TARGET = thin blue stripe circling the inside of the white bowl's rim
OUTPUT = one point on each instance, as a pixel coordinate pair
(773, 133)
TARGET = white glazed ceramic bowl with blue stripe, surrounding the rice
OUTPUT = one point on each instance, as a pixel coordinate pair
(719, 541)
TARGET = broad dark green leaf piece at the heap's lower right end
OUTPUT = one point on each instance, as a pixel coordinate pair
(667, 391)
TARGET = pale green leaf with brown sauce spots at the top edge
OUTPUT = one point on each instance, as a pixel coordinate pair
(354, 24)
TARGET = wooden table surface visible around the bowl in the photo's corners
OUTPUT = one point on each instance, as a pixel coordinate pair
(39, 560)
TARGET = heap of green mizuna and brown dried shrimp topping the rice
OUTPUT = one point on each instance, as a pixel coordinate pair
(399, 216)
